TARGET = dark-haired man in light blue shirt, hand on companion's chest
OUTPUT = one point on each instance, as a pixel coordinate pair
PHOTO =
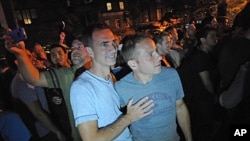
(94, 101)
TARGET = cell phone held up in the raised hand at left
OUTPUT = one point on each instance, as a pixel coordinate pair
(18, 34)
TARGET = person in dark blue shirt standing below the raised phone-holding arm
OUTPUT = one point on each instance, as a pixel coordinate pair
(33, 98)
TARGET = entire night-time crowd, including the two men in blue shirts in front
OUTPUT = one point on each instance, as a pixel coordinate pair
(153, 85)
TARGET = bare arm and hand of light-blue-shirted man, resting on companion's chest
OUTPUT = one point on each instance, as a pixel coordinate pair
(89, 131)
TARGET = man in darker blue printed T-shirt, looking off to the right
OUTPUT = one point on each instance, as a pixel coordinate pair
(150, 79)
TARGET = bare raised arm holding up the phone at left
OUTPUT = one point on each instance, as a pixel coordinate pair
(30, 73)
